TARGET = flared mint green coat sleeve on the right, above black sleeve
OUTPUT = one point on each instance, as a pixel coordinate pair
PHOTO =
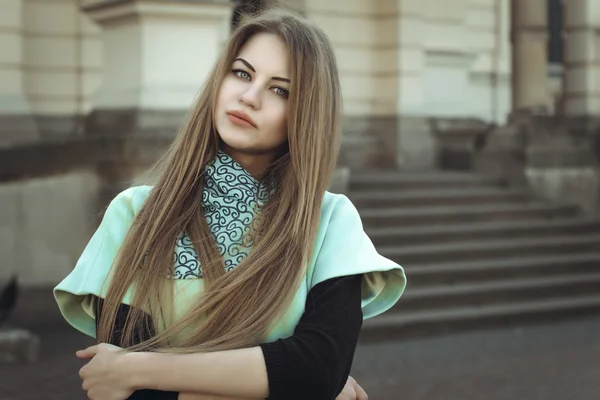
(345, 249)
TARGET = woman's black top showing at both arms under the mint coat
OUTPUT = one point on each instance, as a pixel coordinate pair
(313, 363)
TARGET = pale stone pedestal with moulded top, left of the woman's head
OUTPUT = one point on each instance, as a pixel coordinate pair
(156, 57)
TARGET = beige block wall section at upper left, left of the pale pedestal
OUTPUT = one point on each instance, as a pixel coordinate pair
(62, 57)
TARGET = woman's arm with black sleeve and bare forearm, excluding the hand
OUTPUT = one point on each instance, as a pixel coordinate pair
(314, 363)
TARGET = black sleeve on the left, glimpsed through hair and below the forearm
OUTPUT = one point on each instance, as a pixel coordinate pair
(140, 336)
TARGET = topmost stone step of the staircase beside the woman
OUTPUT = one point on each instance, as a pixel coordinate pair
(383, 180)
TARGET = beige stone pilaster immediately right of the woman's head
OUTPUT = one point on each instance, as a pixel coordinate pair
(364, 37)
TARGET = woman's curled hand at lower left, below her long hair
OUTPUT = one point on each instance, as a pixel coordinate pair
(104, 377)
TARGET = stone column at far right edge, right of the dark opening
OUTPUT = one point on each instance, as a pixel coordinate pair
(581, 85)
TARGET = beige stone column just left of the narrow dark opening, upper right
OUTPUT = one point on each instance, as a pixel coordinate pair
(529, 37)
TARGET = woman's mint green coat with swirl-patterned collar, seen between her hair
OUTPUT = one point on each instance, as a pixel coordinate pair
(342, 248)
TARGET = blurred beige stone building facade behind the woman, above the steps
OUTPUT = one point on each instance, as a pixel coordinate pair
(91, 91)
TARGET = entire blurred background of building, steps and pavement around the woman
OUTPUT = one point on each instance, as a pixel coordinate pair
(471, 149)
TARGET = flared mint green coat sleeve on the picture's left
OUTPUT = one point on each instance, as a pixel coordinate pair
(90, 276)
